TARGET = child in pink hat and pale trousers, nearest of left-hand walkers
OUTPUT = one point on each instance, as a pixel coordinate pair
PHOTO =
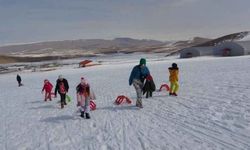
(84, 95)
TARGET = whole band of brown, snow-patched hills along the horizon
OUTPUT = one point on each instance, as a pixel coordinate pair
(92, 47)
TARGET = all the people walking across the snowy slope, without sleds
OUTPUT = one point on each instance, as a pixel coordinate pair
(84, 93)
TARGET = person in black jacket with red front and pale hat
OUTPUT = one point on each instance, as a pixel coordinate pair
(62, 87)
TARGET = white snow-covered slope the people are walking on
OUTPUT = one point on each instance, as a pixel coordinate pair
(212, 110)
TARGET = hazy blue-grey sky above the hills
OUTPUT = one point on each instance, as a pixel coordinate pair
(24, 21)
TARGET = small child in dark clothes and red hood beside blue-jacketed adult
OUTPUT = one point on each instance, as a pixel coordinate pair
(149, 86)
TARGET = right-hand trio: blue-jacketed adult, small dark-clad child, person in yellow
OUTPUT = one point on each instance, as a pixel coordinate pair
(141, 72)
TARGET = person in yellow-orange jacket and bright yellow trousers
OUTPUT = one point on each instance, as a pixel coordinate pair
(173, 79)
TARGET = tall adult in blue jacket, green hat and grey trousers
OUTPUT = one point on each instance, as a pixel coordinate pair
(137, 77)
